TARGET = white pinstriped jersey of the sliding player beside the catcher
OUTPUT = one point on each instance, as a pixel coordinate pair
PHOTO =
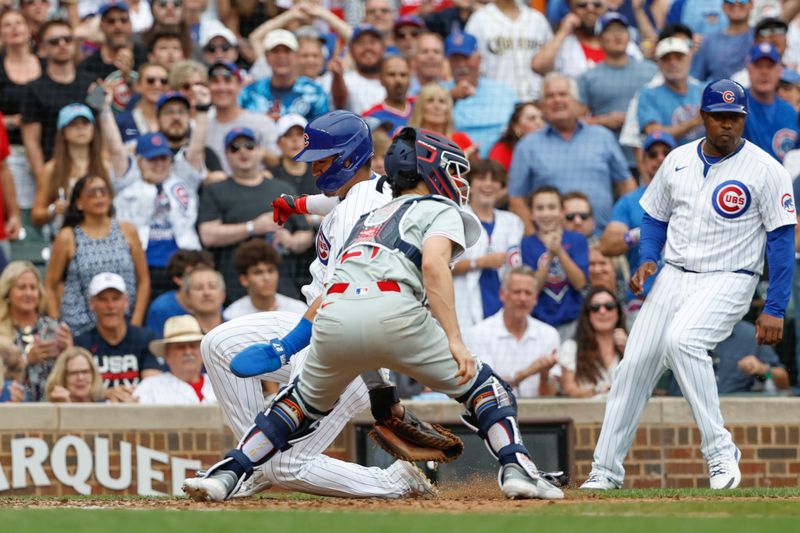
(362, 198)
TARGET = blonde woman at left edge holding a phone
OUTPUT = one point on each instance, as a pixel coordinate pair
(23, 321)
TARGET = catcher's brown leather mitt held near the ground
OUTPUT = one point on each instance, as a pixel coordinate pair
(411, 439)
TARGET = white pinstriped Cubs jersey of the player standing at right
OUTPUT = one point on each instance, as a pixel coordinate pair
(719, 214)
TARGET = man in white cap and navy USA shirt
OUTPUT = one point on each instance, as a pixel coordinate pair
(120, 349)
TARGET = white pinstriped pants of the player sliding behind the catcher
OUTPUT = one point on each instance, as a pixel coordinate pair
(302, 467)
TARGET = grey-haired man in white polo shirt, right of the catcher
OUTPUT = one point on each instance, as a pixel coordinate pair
(519, 348)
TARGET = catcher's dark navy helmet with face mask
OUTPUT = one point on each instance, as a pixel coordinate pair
(434, 158)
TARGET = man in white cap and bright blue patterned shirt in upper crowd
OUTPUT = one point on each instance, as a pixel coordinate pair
(284, 91)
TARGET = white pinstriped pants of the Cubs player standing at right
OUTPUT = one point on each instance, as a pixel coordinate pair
(684, 316)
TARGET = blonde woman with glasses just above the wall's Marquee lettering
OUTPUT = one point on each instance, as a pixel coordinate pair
(75, 378)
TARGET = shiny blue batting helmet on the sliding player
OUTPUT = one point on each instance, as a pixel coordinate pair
(340, 133)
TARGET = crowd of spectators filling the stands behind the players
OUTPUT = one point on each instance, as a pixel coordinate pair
(143, 142)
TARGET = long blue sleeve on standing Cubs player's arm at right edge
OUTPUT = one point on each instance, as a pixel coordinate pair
(780, 256)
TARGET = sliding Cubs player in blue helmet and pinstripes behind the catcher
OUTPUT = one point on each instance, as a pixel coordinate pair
(342, 141)
